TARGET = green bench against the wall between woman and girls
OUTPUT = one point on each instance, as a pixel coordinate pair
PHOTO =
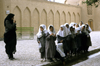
(25, 32)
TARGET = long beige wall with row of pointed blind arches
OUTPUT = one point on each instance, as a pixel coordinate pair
(33, 13)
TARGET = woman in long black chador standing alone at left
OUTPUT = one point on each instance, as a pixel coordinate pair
(10, 35)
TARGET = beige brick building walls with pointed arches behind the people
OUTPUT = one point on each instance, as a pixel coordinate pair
(32, 13)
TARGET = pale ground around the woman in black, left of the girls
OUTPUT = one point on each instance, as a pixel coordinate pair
(27, 54)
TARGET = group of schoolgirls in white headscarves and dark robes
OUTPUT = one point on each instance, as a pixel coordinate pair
(70, 40)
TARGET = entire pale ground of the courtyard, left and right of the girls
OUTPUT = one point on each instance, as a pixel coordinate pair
(28, 54)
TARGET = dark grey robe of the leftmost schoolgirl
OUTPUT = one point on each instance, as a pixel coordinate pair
(42, 41)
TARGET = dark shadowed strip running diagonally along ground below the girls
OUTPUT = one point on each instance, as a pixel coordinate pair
(76, 59)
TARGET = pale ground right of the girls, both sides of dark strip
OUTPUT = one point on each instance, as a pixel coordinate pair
(93, 60)
